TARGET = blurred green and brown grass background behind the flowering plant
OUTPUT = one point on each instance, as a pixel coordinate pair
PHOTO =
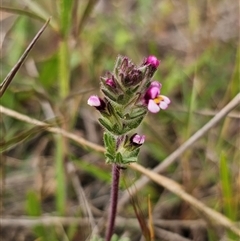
(47, 175)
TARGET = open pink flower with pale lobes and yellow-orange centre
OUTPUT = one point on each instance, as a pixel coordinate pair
(154, 101)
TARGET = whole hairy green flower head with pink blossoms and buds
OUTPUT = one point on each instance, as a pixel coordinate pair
(129, 93)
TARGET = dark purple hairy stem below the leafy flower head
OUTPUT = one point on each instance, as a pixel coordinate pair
(114, 200)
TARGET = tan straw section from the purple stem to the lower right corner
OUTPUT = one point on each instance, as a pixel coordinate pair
(174, 187)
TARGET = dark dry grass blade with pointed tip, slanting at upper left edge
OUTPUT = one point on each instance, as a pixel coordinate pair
(6, 82)
